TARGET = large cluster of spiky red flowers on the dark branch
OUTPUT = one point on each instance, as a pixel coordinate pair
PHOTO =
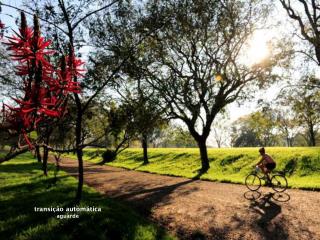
(45, 88)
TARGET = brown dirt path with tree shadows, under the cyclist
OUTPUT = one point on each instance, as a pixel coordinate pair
(194, 209)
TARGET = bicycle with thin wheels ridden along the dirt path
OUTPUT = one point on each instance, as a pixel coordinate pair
(278, 181)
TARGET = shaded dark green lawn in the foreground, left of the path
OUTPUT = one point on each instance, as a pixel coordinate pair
(24, 187)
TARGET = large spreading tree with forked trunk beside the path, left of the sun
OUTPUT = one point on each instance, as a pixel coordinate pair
(194, 61)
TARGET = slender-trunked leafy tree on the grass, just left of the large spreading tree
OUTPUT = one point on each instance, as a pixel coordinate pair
(116, 42)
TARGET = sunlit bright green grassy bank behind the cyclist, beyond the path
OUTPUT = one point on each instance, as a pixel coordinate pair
(302, 164)
